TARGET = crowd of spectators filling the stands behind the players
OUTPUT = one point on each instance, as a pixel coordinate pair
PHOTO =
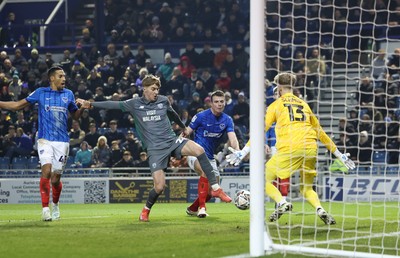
(116, 73)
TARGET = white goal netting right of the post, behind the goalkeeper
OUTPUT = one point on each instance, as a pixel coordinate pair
(346, 55)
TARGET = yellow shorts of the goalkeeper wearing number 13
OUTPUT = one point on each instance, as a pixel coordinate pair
(283, 165)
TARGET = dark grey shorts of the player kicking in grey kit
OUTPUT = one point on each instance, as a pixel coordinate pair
(159, 159)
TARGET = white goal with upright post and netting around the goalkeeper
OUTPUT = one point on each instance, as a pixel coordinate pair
(365, 202)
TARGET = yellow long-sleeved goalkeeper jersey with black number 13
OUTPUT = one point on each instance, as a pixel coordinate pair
(296, 125)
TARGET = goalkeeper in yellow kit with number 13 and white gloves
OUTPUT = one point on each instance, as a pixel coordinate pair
(297, 131)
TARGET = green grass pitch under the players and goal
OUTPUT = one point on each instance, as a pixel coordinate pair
(113, 230)
